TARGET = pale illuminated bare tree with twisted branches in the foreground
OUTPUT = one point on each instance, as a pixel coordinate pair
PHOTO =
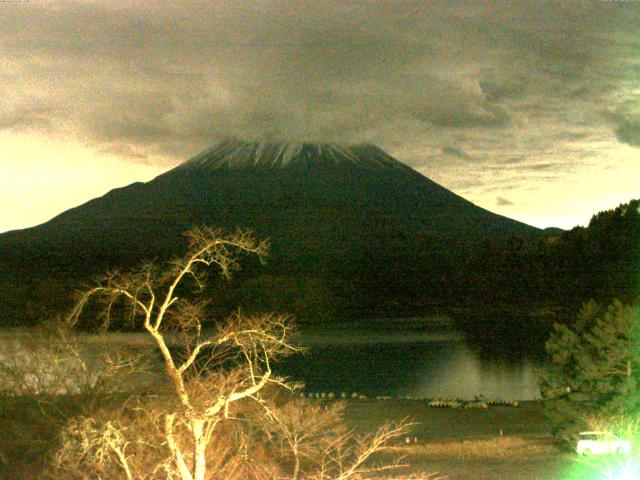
(152, 296)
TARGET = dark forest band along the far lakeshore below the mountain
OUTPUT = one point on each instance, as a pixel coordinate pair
(532, 281)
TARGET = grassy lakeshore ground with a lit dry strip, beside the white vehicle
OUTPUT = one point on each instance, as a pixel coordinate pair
(465, 444)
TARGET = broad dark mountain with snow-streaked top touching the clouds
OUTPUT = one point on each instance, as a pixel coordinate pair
(303, 196)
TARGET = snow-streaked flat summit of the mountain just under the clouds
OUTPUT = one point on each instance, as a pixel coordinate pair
(236, 154)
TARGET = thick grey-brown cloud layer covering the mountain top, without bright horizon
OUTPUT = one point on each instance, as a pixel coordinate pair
(166, 78)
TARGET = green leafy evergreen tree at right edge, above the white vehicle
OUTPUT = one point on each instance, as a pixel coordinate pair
(593, 368)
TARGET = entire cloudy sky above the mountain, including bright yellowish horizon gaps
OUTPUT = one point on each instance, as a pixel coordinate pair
(530, 109)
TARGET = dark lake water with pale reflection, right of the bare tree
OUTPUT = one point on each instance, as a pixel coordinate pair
(432, 364)
